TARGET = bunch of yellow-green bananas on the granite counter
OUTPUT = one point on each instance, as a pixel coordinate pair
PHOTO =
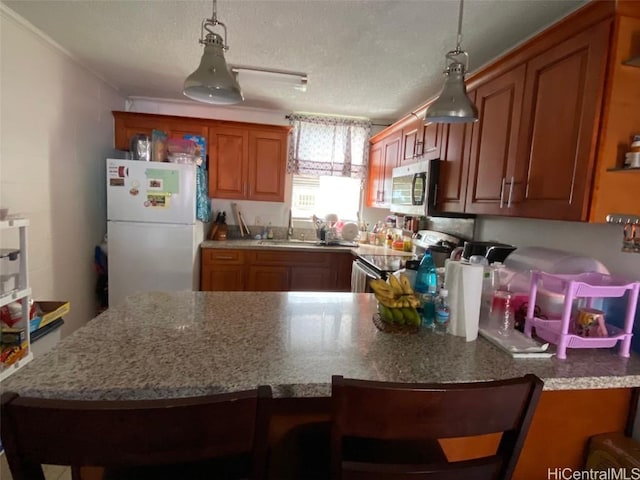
(396, 300)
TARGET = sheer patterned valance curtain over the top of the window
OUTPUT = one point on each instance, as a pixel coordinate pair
(334, 146)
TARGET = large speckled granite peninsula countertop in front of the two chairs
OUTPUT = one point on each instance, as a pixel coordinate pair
(195, 343)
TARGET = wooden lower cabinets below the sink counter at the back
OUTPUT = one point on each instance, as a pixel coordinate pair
(279, 270)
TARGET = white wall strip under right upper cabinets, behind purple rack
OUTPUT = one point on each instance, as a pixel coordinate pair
(600, 241)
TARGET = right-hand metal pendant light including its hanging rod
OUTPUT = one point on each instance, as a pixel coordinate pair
(453, 105)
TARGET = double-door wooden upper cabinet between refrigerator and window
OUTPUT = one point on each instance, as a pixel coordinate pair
(247, 164)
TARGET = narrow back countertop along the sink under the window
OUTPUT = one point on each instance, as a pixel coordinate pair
(361, 249)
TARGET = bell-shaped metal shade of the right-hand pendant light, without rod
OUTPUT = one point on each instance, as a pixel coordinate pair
(453, 105)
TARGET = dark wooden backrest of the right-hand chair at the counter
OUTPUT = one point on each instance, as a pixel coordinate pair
(413, 411)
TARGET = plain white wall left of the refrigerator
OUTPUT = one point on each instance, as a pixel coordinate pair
(56, 128)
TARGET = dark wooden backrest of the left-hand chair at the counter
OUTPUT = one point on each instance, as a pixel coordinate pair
(215, 436)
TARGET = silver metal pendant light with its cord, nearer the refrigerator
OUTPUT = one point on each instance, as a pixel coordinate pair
(213, 81)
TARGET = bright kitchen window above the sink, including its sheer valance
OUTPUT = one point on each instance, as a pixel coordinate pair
(328, 159)
